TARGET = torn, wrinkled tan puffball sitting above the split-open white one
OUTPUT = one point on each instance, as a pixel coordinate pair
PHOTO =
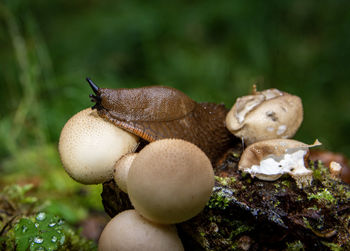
(269, 114)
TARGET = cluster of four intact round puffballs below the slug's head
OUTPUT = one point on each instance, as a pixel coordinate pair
(168, 181)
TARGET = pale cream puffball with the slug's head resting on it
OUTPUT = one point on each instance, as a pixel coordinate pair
(89, 146)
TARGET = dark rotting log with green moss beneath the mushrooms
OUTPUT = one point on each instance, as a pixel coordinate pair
(249, 214)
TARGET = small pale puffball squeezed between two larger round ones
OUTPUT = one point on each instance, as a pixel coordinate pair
(121, 170)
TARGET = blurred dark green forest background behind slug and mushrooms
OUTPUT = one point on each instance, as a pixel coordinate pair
(211, 50)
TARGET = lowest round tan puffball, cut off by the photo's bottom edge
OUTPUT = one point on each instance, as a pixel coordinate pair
(128, 231)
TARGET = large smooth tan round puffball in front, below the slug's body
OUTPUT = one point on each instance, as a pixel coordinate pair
(170, 181)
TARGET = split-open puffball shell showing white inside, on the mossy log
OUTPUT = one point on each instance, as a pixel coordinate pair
(270, 159)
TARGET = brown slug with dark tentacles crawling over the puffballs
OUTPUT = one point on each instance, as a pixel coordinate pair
(158, 112)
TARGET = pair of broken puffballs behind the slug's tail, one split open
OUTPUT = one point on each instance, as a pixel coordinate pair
(265, 121)
